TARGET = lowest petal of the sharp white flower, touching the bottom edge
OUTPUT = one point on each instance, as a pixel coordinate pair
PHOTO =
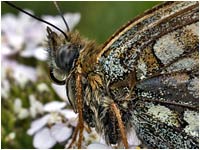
(43, 139)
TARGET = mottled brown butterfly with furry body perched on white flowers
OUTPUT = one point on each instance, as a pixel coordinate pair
(145, 77)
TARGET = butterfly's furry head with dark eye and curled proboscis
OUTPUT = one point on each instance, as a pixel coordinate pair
(63, 54)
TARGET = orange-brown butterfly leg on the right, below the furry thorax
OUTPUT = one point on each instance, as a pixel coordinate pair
(116, 111)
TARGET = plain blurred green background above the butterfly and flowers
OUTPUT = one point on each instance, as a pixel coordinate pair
(99, 20)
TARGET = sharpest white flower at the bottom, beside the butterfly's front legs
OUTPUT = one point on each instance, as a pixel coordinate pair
(51, 129)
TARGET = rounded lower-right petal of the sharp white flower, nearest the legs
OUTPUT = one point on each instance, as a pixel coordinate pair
(61, 132)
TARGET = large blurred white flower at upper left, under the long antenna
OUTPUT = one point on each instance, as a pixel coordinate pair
(30, 33)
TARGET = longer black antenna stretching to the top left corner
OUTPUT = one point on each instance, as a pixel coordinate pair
(37, 18)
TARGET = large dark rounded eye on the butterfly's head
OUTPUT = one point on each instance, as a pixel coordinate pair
(65, 57)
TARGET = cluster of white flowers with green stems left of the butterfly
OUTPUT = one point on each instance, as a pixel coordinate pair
(23, 85)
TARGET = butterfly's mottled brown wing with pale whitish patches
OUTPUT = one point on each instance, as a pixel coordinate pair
(152, 64)
